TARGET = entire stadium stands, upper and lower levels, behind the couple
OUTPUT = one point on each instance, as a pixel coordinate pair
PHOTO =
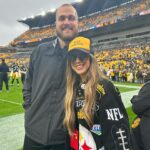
(120, 35)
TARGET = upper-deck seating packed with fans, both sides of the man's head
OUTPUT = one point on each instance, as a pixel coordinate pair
(89, 22)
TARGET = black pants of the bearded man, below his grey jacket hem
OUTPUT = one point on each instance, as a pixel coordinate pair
(32, 145)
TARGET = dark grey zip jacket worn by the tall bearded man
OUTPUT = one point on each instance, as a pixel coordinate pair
(43, 92)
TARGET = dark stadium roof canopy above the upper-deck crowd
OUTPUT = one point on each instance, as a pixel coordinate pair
(84, 8)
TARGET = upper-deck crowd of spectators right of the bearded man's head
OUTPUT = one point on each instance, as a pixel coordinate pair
(112, 16)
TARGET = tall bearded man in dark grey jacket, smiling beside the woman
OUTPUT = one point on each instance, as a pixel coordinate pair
(44, 87)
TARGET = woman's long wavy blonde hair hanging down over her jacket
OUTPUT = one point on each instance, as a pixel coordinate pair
(93, 76)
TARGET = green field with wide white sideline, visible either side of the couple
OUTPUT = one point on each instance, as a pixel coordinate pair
(11, 113)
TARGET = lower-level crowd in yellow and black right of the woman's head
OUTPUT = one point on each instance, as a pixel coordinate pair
(126, 64)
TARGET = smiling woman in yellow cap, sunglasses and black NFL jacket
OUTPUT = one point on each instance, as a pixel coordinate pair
(94, 113)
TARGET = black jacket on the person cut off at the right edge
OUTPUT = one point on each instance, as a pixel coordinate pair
(141, 106)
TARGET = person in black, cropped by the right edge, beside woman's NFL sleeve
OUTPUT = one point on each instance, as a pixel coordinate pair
(141, 107)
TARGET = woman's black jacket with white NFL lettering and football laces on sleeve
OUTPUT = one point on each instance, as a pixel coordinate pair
(110, 129)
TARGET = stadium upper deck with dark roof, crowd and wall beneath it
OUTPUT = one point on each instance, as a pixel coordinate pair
(96, 20)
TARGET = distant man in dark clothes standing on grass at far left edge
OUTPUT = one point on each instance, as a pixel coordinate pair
(4, 69)
